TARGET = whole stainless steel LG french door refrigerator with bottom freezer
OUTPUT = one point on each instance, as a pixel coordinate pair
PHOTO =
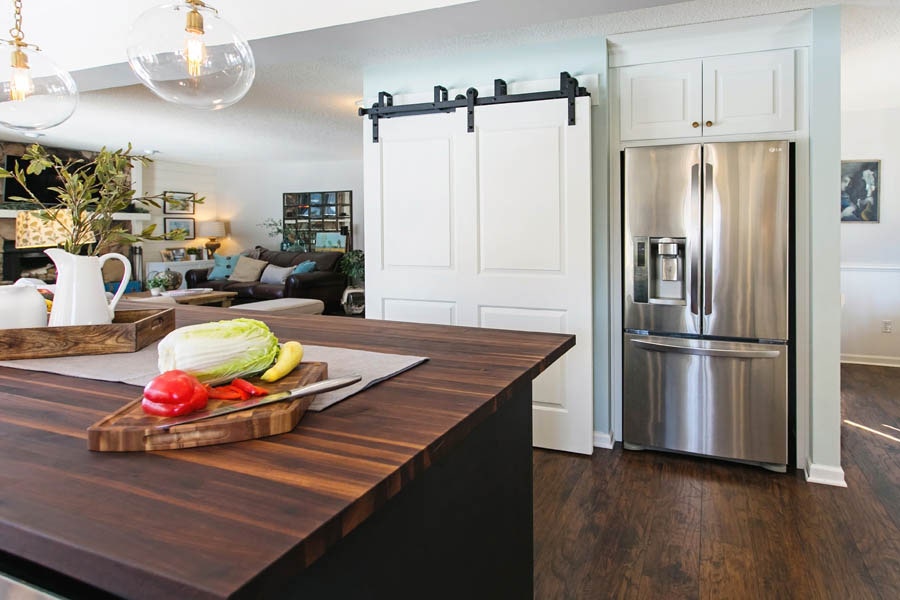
(706, 299)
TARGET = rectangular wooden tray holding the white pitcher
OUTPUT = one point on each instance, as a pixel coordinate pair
(130, 331)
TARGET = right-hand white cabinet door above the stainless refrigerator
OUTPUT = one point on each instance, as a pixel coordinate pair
(749, 93)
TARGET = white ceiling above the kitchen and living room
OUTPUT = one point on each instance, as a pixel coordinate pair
(310, 65)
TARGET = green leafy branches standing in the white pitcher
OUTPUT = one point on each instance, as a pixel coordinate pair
(91, 191)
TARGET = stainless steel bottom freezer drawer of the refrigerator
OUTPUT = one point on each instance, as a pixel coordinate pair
(722, 399)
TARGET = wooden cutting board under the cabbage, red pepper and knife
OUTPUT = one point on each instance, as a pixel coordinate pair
(130, 429)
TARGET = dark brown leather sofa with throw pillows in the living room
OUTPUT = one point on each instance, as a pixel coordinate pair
(324, 283)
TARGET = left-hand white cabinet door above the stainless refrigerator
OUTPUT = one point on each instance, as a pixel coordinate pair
(660, 100)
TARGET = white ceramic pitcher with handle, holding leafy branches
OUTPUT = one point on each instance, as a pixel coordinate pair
(80, 298)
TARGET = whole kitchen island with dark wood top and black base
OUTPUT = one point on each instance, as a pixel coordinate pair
(418, 487)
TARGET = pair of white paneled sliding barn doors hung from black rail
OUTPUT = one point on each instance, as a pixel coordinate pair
(490, 229)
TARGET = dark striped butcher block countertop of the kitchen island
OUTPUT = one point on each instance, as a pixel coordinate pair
(243, 519)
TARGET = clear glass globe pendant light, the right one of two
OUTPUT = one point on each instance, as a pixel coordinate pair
(187, 54)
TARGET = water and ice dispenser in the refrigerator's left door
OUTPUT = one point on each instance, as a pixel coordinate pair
(659, 270)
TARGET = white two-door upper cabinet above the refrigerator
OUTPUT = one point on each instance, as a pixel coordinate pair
(727, 95)
